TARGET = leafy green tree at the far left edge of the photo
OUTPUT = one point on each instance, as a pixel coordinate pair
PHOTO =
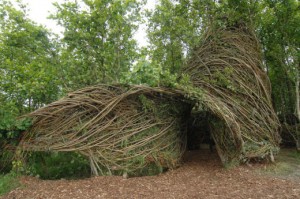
(27, 61)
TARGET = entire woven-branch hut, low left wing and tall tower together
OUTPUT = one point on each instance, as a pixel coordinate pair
(126, 128)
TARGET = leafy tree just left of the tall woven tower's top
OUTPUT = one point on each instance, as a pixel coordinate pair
(173, 30)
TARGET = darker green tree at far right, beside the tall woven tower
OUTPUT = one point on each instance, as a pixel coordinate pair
(280, 36)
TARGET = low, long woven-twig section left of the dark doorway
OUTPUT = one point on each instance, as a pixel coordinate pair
(119, 128)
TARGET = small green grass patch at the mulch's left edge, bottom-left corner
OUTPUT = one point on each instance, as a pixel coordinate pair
(8, 182)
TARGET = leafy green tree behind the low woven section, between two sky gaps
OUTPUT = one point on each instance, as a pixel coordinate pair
(97, 45)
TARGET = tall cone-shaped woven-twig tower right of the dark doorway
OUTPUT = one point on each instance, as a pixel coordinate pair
(227, 78)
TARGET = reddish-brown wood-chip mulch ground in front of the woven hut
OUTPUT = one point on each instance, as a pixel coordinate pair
(202, 176)
